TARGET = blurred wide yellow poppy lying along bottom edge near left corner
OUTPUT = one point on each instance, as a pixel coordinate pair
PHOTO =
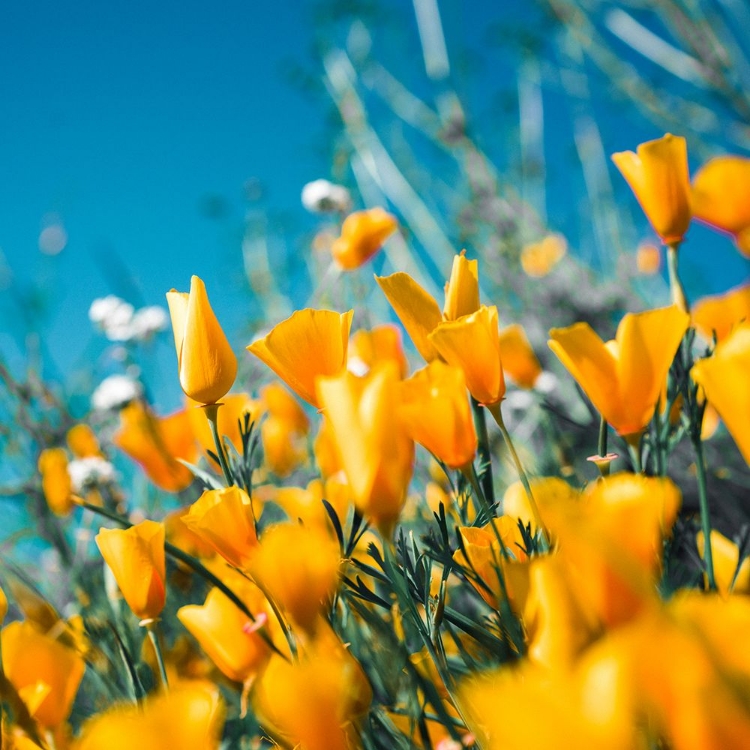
(189, 717)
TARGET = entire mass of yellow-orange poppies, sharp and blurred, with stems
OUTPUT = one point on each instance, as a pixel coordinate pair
(564, 582)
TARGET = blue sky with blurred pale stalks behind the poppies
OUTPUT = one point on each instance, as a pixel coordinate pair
(141, 143)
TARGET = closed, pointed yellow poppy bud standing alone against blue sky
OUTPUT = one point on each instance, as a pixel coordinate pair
(205, 359)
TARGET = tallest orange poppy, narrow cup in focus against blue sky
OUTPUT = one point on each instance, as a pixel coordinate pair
(658, 175)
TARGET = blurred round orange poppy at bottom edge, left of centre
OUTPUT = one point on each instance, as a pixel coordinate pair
(316, 702)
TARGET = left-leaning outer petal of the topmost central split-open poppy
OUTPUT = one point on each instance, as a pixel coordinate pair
(416, 309)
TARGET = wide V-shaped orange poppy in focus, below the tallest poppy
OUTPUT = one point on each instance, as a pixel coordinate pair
(623, 378)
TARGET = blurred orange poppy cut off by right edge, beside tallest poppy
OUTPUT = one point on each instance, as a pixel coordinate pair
(721, 197)
